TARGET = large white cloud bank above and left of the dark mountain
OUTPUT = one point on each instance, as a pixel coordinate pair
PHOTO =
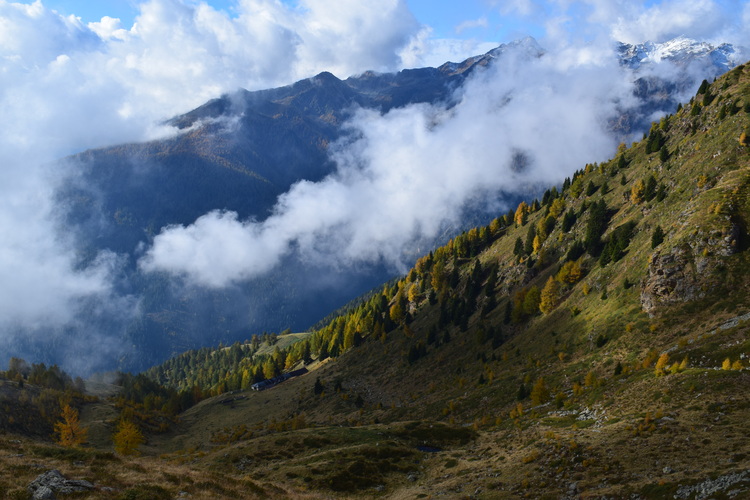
(66, 87)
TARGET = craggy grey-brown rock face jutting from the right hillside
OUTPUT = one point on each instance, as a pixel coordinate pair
(672, 278)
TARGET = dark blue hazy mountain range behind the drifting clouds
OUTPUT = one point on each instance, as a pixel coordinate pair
(242, 150)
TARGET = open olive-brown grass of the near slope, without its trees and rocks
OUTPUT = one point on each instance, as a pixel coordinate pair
(618, 435)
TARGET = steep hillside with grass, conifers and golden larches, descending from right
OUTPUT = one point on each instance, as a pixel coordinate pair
(590, 344)
